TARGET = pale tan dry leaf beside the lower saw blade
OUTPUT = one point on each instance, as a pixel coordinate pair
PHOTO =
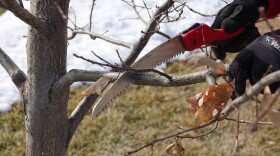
(97, 87)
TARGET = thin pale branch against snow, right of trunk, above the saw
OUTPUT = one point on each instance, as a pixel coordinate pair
(95, 35)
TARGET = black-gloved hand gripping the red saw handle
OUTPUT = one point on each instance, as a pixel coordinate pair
(239, 13)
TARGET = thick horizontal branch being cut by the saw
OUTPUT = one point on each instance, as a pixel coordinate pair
(149, 79)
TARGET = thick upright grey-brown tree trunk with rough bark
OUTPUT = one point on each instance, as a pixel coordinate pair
(46, 113)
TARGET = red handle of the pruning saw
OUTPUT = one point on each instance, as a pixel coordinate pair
(201, 34)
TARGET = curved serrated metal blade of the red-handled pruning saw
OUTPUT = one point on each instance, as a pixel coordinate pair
(158, 55)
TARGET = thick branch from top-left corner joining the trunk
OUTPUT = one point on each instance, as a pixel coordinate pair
(24, 15)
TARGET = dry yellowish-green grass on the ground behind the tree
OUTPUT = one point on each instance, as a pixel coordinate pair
(143, 113)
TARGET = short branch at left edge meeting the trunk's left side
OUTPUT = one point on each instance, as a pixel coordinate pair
(18, 77)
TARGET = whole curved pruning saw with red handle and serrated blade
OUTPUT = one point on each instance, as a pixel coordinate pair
(194, 37)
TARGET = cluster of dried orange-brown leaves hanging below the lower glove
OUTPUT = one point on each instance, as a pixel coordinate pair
(206, 105)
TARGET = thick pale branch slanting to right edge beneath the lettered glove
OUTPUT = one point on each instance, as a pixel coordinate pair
(257, 88)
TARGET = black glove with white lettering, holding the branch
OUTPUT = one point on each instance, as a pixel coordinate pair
(253, 62)
